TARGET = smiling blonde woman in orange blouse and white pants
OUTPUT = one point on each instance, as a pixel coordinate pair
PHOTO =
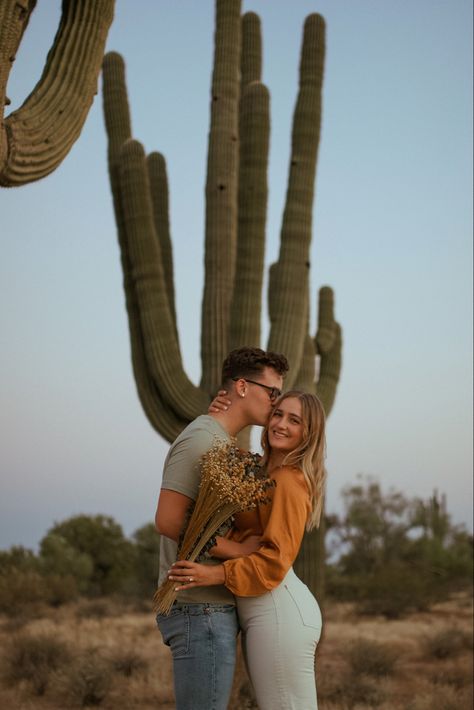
(279, 617)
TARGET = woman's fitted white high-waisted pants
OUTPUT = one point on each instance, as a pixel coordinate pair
(280, 631)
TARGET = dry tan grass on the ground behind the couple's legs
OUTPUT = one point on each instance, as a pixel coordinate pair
(115, 659)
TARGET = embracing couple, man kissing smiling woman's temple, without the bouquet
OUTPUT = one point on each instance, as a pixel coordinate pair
(248, 583)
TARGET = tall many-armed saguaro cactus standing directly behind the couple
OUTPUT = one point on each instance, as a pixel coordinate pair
(236, 201)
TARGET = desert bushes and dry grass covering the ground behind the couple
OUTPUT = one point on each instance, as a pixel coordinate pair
(77, 628)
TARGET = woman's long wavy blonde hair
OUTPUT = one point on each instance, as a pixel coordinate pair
(310, 454)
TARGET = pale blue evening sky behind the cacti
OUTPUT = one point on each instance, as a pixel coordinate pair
(392, 236)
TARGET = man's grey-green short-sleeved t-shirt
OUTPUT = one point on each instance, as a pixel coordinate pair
(181, 473)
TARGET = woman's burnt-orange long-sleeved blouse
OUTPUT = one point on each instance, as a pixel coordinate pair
(283, 522)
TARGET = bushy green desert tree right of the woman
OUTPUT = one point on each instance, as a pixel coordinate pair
(395, 553)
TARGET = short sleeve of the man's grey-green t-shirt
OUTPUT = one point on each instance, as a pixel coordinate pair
(181, 469)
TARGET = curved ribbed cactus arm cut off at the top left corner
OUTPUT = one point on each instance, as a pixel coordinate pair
(36, 138)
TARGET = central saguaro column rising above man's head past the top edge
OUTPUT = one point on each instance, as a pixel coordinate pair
(221, 193)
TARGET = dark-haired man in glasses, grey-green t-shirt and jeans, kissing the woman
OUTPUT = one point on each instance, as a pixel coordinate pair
(202, 627)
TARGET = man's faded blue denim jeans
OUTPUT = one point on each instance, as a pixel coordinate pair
(202, 639)
